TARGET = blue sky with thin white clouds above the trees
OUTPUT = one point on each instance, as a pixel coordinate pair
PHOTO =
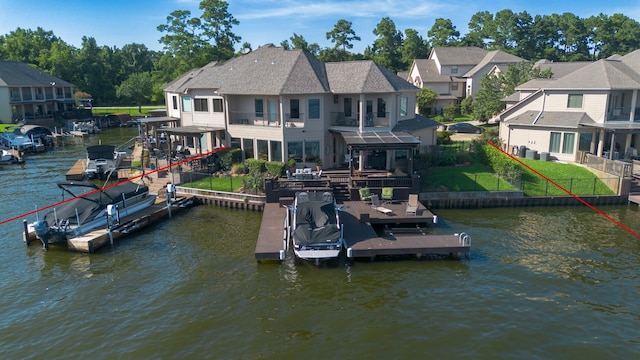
(120, 22)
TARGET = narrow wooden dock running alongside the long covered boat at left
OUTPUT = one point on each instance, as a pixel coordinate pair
(94, 240)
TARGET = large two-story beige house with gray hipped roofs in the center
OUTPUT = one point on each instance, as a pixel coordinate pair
(278, 104)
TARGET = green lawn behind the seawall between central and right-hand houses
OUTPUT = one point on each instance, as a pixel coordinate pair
(478, 177)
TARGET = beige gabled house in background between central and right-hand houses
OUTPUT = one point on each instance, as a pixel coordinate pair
(455, 72)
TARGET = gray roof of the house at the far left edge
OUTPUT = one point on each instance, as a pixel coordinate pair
(16, 73)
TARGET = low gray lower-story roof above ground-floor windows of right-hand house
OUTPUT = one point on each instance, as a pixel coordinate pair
(551, 119)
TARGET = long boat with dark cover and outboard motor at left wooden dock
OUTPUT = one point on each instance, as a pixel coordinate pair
(91, 210)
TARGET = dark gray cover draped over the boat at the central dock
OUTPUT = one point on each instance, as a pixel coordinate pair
(315, 220)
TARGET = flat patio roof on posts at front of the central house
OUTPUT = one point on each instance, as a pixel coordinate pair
(378, 140)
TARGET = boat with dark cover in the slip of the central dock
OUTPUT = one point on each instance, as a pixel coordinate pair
(314, 227)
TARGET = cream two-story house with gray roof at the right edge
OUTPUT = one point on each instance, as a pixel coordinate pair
(591, 107)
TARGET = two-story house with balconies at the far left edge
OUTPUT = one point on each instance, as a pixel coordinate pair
(28, 94)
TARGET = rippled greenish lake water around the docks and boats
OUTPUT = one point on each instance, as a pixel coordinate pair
(542, 282)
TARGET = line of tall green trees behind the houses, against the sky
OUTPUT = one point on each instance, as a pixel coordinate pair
(136, 74)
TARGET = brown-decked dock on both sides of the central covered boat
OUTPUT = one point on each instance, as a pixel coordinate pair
(359, 220)
